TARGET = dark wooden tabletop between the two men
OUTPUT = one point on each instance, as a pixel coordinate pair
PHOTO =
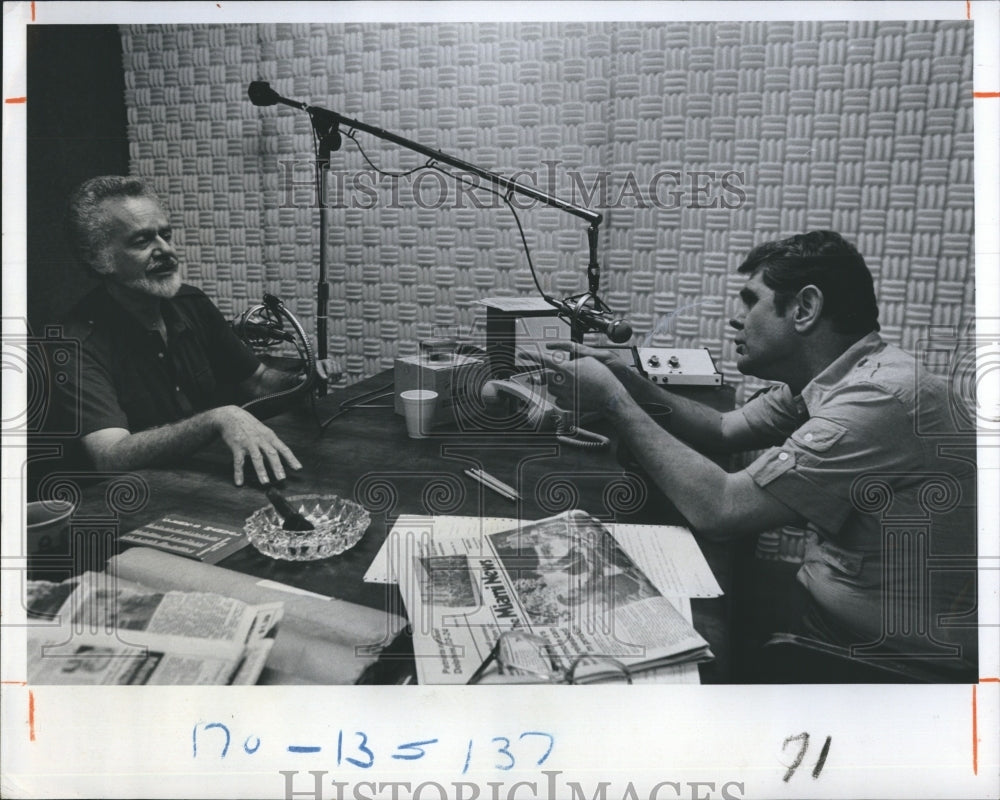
(366, 455)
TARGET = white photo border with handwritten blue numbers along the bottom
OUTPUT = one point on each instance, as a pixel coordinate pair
(887, 741)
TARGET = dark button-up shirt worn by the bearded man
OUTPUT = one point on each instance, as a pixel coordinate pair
(129, 379)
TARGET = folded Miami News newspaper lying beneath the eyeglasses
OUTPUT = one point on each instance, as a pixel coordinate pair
(564, 579)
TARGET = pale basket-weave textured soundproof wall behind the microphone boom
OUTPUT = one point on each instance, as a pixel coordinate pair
(862, 127)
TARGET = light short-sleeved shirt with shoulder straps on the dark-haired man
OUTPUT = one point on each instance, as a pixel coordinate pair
(859, 444)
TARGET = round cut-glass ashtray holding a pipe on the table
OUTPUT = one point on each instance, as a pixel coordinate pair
(340, 524)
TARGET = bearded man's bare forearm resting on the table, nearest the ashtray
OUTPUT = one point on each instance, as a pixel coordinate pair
(157, 445)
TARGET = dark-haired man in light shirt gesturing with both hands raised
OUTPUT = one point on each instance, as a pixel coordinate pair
(851, 422)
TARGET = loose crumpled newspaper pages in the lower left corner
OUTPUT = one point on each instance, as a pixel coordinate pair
(104, 631)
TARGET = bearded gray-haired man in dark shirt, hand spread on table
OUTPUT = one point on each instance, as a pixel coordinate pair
(161, 371)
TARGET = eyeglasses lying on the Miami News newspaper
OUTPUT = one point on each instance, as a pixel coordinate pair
(522, 657)
